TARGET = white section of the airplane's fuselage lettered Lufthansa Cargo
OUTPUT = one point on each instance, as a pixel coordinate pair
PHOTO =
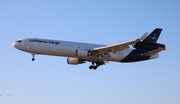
(64, 48)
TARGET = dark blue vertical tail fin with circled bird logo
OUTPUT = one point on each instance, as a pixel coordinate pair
(153, 36)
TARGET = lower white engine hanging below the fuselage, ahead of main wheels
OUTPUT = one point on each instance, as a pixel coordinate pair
(74, 61)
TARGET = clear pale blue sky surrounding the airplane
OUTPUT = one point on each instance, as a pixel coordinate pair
(50, 80)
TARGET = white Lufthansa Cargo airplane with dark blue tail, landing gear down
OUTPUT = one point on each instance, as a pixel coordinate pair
(140, 49)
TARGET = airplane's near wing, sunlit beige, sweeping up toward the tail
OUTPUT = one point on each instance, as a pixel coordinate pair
(116, 47)
